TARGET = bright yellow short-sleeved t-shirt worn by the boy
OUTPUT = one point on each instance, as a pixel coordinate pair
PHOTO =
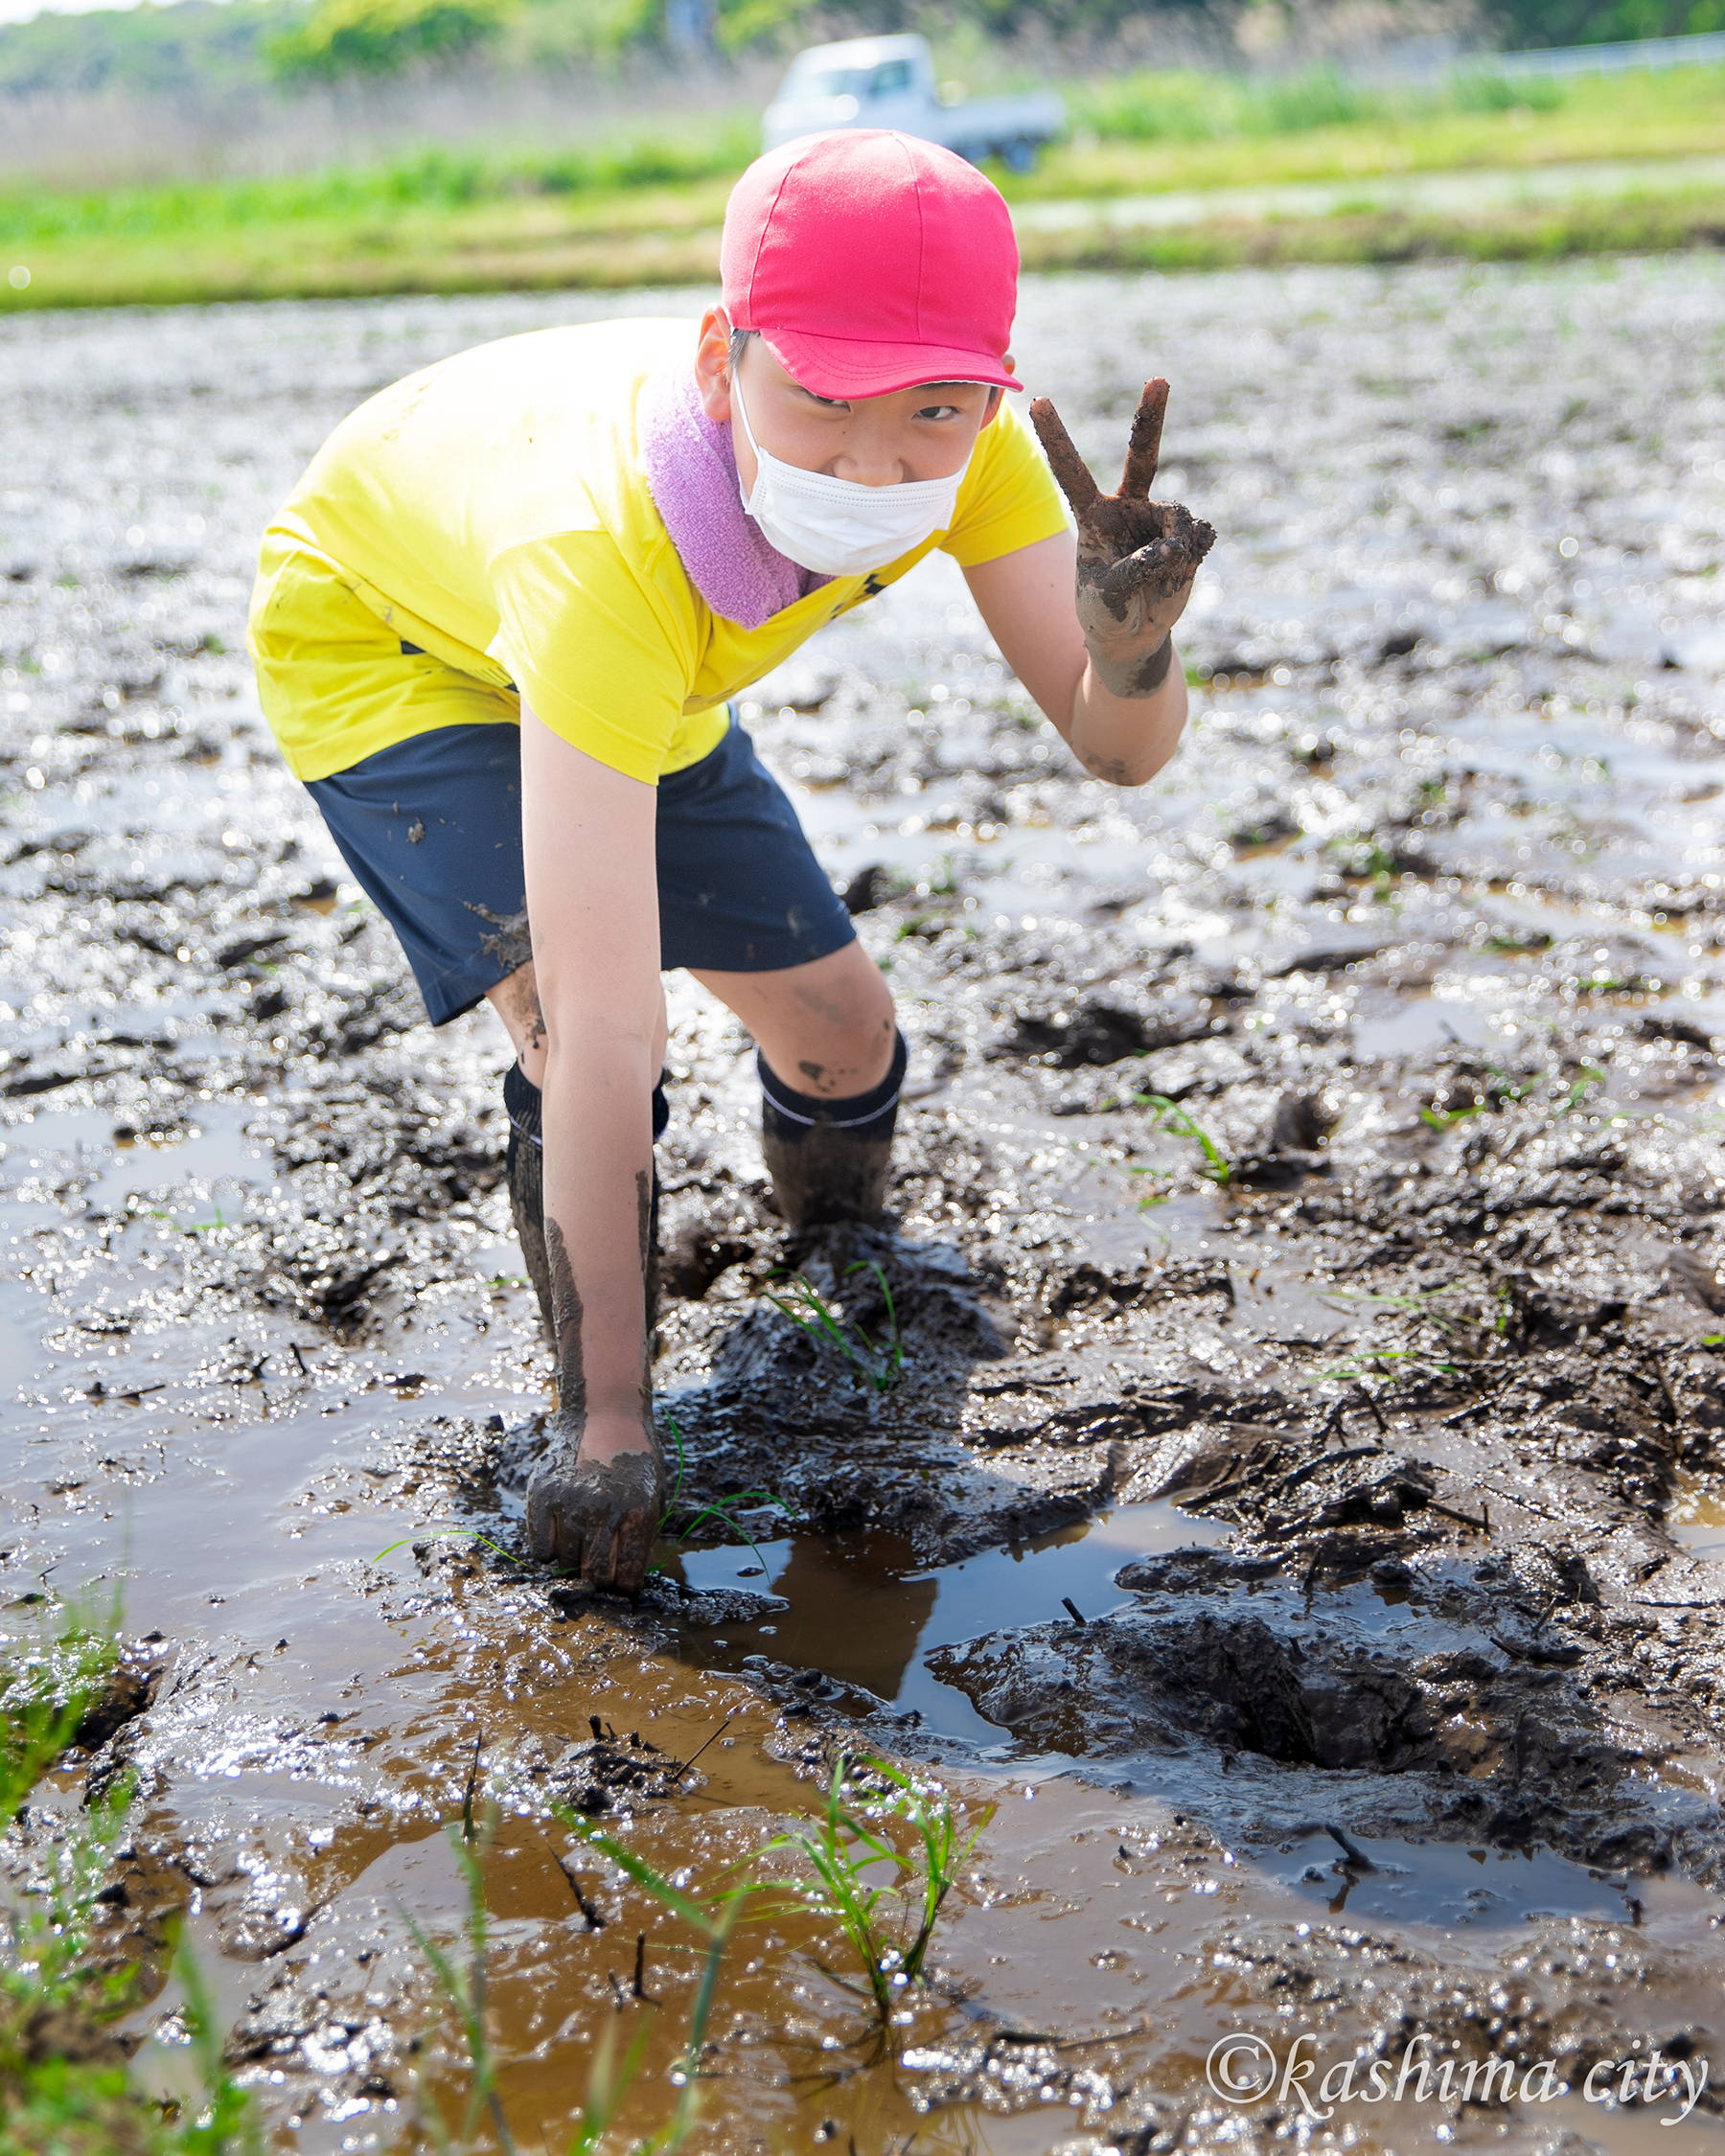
(495, 512)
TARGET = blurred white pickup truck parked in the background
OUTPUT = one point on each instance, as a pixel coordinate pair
(889, 83)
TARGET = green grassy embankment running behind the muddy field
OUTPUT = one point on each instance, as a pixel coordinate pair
(648, 212)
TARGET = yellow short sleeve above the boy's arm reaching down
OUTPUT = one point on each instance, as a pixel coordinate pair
(601, 650)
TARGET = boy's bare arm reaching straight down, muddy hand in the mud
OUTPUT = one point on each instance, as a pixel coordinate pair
(592, 896)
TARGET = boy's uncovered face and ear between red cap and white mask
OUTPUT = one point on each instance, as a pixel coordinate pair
(877, 441)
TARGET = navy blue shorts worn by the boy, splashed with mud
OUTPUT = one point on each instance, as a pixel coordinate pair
(432, 831)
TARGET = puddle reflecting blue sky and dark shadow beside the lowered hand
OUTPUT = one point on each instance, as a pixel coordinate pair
(866, 1616)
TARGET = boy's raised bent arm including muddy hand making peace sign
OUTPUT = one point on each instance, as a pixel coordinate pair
(1088, 624)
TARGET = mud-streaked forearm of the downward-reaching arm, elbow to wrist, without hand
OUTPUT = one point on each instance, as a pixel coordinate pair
(598, 1196)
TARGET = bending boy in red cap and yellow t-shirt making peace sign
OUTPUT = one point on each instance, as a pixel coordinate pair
(497, 633)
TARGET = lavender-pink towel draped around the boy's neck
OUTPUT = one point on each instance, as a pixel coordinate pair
(693, 480)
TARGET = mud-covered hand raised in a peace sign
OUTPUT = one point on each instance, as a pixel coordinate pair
(1137, 559)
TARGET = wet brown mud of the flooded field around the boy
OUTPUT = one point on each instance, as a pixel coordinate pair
(1301, 1510)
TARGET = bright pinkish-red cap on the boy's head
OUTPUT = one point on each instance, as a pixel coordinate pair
(872, 262)
